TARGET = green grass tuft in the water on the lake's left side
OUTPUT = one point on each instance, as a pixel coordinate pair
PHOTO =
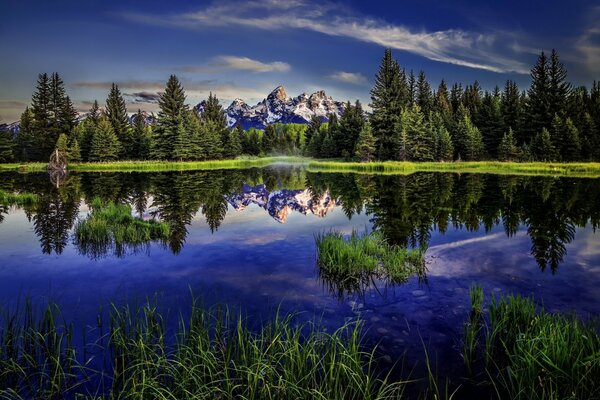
(113, 226)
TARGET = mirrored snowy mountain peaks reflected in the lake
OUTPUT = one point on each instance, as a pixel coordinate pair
(280, 203)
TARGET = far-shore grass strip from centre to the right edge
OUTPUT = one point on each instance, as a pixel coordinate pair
(580, 170)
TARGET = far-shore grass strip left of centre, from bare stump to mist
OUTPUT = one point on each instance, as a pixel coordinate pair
(156, 166)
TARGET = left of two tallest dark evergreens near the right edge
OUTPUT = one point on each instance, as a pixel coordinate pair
(538, 103)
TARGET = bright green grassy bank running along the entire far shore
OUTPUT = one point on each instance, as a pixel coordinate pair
(576, 170)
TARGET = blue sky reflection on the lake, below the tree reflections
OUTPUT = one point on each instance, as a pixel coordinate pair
(256, 263)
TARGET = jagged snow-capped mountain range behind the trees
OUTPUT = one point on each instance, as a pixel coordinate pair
(279, 107)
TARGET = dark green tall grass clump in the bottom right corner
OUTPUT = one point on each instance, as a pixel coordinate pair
(534, 354)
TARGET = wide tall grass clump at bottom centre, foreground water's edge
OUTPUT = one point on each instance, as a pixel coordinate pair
(217, 356)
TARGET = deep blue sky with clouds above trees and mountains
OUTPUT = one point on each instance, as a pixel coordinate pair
(244, 49)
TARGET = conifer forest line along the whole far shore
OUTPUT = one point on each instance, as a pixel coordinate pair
(409, 121)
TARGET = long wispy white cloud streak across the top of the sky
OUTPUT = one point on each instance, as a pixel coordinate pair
(453, 46)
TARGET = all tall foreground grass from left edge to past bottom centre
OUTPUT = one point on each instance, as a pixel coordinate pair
(215, 355)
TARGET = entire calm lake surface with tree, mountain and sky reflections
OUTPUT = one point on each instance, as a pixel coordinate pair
(246, 239)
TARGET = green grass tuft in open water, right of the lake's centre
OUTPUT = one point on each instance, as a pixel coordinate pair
(349, 265)
